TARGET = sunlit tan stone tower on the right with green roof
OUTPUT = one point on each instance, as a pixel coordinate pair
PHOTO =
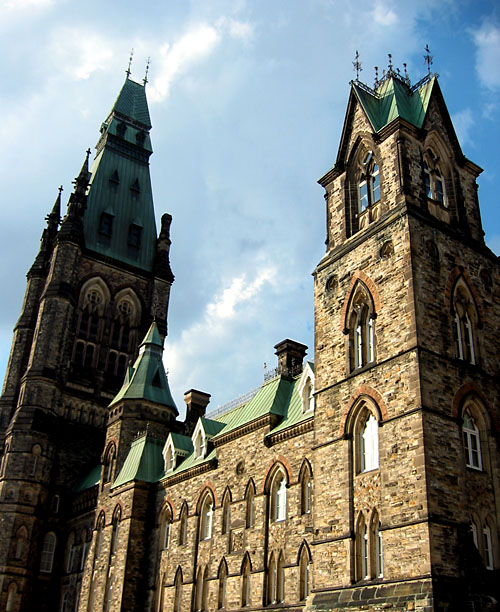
(407, 390)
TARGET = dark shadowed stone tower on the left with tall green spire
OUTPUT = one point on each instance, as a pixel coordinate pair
(93, 290)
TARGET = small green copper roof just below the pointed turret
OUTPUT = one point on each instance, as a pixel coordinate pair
(144, 462)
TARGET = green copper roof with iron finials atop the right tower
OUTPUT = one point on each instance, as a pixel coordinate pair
(392, 99)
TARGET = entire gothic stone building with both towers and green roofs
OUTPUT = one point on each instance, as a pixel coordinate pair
(365, 480)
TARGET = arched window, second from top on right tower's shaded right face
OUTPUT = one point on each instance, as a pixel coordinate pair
(466, 322)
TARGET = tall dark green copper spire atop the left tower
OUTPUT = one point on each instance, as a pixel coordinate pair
(119, 220)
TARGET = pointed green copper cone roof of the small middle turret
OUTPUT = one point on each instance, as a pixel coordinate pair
(147, 378)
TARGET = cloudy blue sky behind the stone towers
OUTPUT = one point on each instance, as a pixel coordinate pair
(247, 100)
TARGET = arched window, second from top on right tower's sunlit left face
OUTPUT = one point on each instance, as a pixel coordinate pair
(361, 327)
